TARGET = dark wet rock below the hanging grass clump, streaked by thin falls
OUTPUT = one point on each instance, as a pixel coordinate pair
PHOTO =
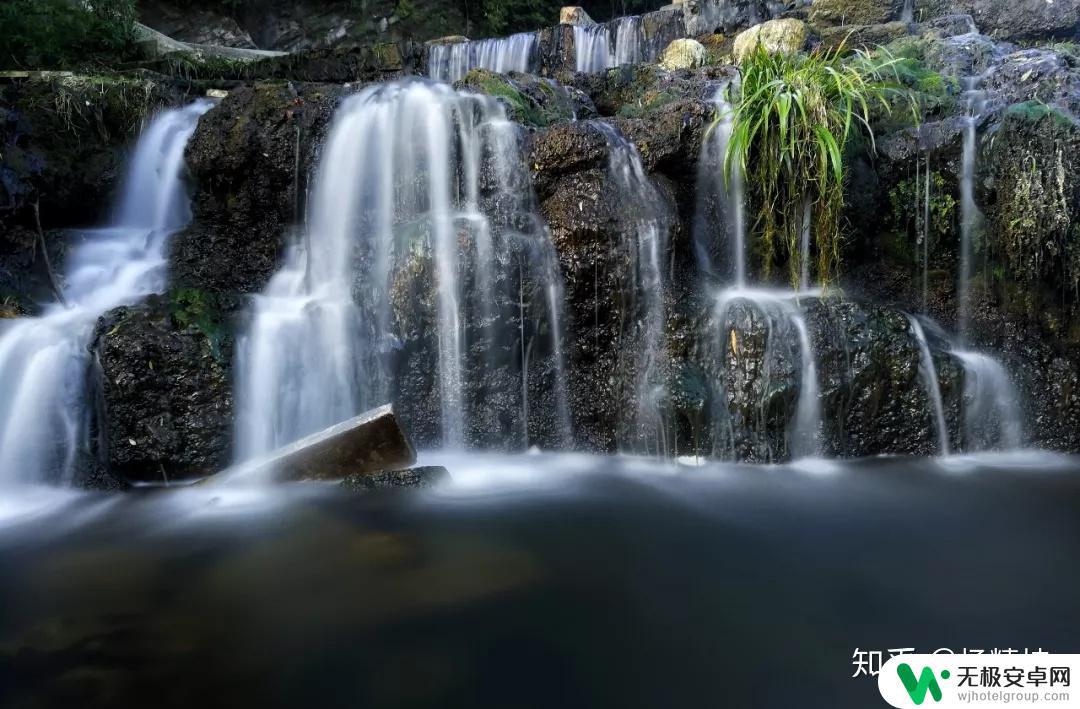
(872, 396)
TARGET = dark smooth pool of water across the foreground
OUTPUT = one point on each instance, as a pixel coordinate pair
(536, 581)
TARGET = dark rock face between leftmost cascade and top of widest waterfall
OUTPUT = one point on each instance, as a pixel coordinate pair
(250, 157)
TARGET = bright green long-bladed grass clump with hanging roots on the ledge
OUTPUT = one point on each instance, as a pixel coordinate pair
(793, 122)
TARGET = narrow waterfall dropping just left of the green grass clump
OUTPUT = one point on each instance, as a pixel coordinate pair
(720, 212)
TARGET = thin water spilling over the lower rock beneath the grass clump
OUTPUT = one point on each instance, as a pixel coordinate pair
(784, 315)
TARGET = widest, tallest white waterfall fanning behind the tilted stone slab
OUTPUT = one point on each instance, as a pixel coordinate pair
(421, 217)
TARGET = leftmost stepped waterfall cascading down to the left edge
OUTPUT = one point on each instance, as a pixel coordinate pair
(46, 407)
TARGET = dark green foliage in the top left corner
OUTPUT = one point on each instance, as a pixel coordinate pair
(62, 34)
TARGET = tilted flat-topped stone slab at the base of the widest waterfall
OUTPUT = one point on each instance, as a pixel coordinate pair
(368, 444)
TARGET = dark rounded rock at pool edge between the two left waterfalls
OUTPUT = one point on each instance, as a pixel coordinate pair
(167, 392)
